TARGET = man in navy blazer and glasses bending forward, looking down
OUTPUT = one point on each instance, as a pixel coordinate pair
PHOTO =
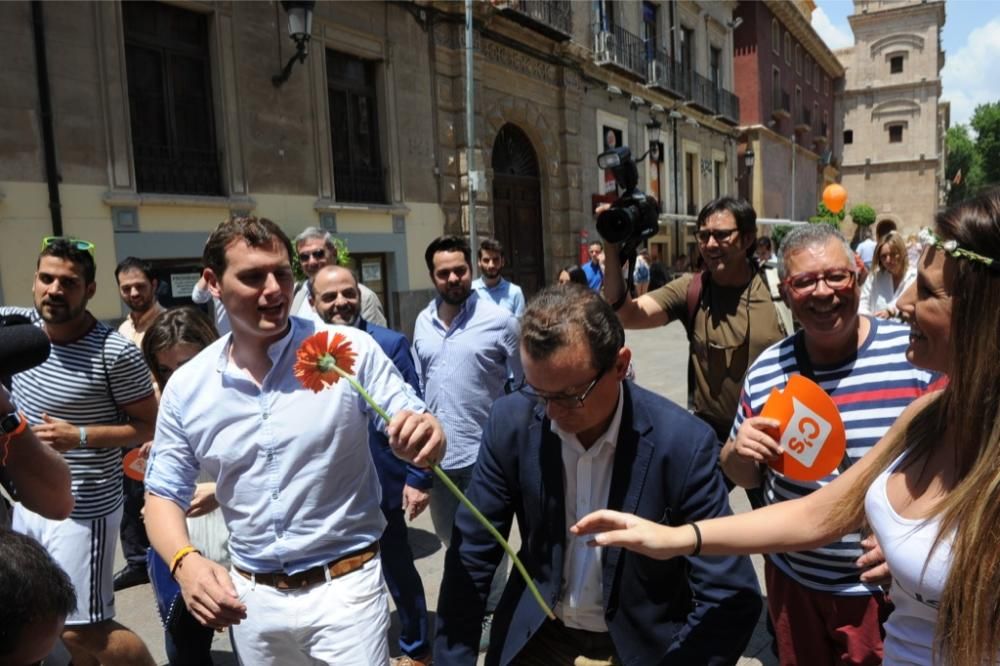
(576, 437)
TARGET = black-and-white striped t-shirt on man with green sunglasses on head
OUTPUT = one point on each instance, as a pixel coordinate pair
(72, 385)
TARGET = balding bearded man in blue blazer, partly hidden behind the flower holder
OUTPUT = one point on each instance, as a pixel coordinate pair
(336, 299)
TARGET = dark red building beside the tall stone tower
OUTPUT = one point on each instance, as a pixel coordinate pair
(786, 80)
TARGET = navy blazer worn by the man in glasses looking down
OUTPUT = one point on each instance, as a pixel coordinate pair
(699, 610)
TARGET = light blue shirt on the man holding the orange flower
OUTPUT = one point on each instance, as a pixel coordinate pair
(294, 476)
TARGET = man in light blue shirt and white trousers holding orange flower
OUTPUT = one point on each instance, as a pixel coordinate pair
(294, 476)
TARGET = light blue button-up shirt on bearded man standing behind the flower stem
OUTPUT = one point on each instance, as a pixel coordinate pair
(463, 369)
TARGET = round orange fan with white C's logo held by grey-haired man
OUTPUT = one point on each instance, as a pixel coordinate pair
(811, 433)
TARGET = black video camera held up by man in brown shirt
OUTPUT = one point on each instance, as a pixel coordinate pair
(634, 216)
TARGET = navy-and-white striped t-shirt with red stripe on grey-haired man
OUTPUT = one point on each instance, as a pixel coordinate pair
(870, 390)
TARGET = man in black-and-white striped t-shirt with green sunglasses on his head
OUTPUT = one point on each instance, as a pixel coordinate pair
(89, 399)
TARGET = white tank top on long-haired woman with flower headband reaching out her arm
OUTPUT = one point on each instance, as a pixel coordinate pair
(916, 589)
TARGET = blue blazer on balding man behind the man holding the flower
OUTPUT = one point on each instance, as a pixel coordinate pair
(394, 473)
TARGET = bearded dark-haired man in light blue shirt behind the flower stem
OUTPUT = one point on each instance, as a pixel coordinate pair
(465, 347)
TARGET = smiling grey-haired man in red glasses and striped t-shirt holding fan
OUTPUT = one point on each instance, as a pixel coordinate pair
(824, 608)
